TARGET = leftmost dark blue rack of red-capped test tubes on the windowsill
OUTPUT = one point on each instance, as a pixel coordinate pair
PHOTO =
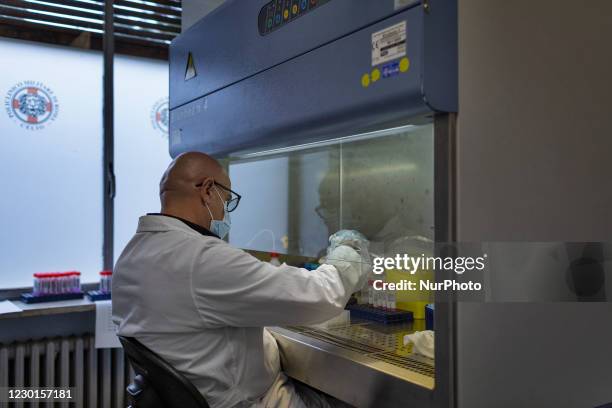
(52, 286)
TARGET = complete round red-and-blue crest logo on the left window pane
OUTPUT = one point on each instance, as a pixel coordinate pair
(31, 104)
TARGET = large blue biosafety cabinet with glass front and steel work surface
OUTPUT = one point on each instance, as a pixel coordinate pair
(332, 114)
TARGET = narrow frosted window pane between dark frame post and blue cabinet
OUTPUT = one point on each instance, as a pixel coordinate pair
(141, 141)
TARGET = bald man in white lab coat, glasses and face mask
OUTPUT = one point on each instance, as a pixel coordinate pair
(202, 305)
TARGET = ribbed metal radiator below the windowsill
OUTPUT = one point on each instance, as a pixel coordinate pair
(99, 376)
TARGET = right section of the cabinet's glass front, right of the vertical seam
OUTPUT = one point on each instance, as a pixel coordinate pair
(387, 188)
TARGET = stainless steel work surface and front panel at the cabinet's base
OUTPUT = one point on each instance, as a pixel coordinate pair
(362, 363)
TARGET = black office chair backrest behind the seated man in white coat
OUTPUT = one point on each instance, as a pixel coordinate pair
(157, 384)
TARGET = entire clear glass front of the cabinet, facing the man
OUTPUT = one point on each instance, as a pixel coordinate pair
(380, 185)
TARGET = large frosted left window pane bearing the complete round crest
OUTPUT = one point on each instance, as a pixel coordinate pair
(50, 161)
